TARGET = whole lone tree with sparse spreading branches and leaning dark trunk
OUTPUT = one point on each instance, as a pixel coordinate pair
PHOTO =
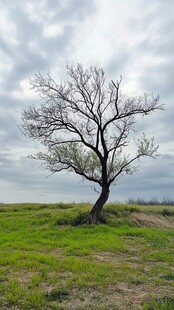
(84, 123)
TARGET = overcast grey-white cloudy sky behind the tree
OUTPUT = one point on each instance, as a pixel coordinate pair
(134, 39)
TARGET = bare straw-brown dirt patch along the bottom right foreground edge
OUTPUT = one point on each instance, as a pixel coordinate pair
(120, 296)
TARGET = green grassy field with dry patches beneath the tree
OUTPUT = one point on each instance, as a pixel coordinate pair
(50, 258)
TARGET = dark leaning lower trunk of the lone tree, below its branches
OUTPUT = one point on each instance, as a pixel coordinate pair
(95, 212)
